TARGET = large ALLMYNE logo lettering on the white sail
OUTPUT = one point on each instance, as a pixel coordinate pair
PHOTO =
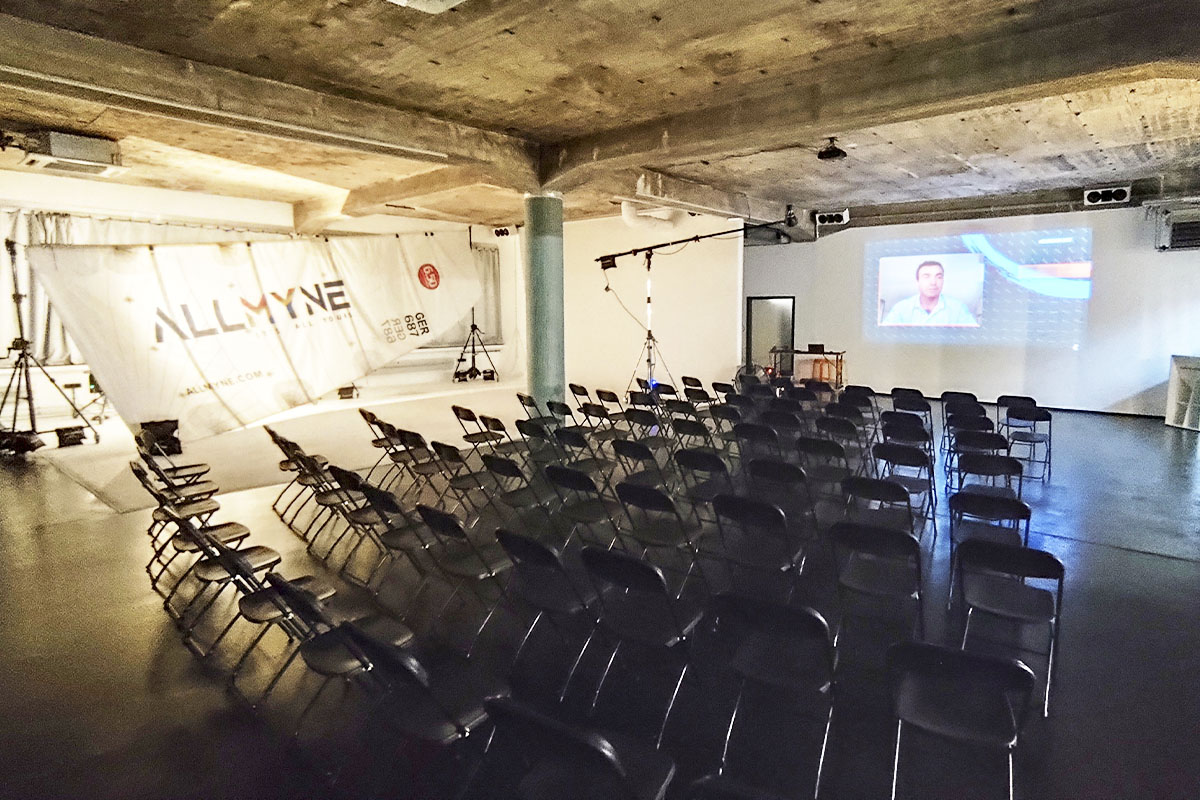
(191, 322)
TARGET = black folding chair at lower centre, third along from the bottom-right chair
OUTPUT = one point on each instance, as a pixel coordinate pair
(639, 611)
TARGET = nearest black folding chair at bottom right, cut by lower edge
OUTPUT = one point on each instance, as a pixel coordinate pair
(959, 696)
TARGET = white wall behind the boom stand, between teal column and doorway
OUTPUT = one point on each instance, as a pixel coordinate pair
(698, 303)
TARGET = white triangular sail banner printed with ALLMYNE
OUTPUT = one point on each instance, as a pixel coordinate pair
(218, 336)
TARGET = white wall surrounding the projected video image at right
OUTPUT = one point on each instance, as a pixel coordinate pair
(1145, 308)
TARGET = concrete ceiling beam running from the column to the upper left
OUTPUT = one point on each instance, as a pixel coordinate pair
(55, 62)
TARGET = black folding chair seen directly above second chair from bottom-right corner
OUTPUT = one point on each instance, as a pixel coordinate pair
(755, 539)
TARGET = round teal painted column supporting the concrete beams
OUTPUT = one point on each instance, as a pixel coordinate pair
(543, 239)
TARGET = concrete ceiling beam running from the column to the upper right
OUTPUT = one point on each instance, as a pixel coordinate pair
(1136, 43)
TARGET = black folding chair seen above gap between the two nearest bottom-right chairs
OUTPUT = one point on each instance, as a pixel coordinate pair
(881, 564)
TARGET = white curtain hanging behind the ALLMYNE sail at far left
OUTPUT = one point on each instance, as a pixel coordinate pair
(26, 228)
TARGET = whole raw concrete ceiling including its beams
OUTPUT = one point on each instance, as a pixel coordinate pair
(353, 107)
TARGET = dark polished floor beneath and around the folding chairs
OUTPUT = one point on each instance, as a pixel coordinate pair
(100, 699)
